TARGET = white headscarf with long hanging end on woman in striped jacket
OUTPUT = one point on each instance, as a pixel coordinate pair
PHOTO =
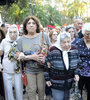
(61, 37)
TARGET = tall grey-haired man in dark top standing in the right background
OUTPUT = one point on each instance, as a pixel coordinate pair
(78, 26)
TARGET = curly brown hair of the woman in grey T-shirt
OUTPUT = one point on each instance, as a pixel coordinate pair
(26, 21)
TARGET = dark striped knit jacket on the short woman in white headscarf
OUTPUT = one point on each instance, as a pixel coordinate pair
(60, 77)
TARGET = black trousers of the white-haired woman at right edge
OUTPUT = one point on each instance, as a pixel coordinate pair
(85, 81)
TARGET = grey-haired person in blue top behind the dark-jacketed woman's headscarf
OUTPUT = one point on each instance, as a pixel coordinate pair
(70, 29)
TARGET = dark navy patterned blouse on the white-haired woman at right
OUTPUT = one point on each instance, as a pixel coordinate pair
(84, 54)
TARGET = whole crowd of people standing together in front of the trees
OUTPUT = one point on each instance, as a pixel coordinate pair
(52, 60)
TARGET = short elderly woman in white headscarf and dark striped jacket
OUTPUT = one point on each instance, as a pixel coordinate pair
(61, 67)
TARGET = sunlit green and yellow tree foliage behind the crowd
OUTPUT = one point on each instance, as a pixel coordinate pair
(47, 14)
